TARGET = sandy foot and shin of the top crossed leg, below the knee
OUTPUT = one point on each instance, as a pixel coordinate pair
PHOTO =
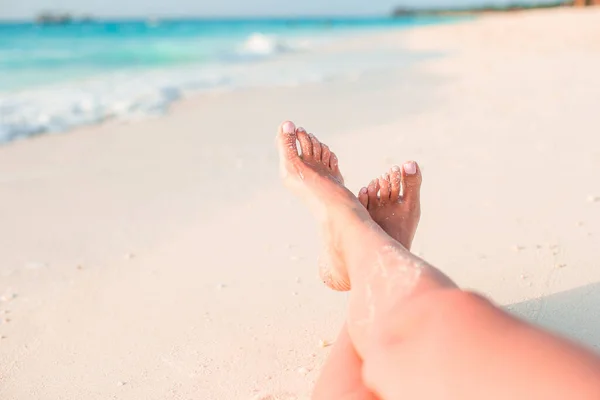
(383, 273)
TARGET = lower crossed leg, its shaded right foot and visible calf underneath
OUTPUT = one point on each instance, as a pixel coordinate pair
(398, 215)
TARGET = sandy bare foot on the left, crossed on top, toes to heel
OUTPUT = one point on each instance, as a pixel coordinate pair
(315, 177)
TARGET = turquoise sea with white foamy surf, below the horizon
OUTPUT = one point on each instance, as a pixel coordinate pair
(55, 77)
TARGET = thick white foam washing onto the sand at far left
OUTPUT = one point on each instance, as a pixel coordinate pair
(65, 107)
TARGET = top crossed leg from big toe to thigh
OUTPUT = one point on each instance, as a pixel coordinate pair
(400, 309)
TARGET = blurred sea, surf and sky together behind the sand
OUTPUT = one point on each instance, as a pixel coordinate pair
(70, 63)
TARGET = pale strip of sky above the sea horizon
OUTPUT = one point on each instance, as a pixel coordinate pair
(26, 9)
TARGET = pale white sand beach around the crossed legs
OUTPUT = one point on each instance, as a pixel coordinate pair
(163, 259)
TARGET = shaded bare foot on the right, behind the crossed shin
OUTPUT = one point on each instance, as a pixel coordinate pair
(397, 209)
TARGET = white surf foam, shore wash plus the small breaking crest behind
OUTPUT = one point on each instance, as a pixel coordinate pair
(61, 107)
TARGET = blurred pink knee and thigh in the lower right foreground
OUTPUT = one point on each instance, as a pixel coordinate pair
(458, 345)
